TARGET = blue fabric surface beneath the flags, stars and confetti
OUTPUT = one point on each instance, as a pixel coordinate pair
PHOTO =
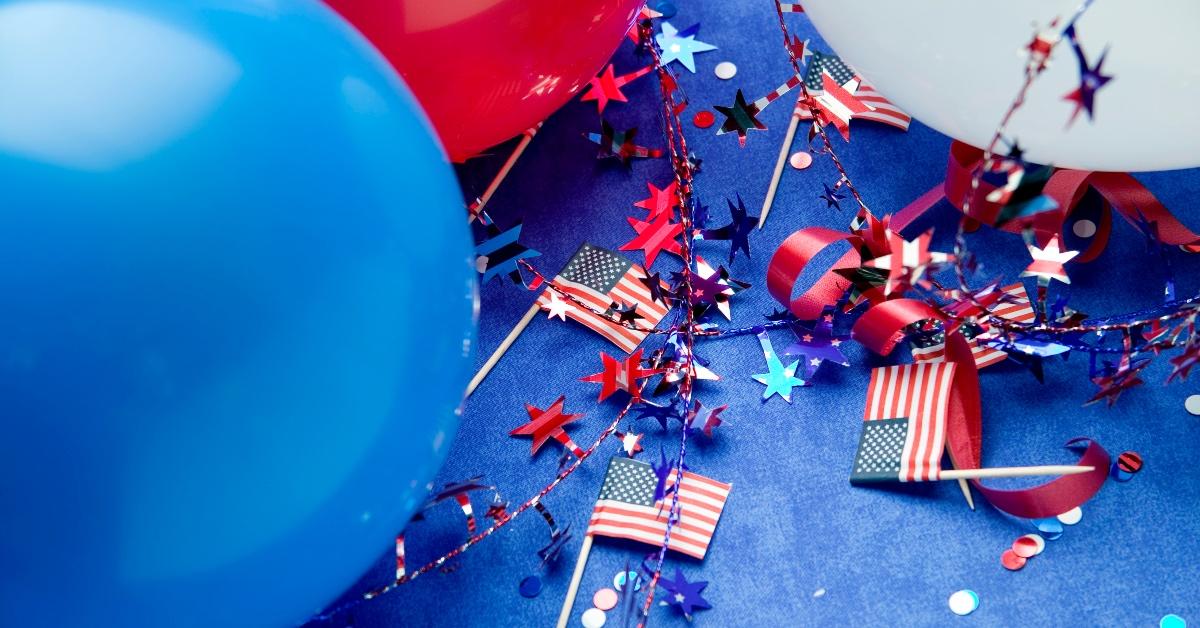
(794, 525)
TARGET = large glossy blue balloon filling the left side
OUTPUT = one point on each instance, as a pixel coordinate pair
(237, 310)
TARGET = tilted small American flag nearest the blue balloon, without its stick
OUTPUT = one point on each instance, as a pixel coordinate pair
(603, 279)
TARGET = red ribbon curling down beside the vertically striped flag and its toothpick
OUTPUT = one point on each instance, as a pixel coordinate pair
(883, 327)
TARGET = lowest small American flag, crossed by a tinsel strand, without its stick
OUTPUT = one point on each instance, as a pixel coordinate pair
(627, 507)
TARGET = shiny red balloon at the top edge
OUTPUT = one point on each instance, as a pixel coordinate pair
(488, 70)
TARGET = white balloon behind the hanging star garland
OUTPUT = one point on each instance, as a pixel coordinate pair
(957, 65)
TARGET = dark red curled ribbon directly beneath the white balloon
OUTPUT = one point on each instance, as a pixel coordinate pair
(1067, 188)
